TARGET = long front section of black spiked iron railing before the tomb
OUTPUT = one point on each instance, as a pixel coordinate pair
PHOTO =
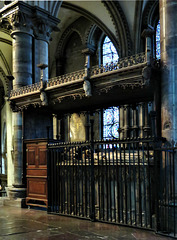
(109, 181)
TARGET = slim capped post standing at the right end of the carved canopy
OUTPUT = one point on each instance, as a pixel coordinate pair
(147, 34)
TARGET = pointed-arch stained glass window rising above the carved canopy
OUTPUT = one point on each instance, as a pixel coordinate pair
(109, 52)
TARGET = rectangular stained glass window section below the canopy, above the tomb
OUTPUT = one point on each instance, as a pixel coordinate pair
(111, 123)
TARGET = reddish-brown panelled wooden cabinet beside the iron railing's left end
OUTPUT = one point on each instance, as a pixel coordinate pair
(36, 172)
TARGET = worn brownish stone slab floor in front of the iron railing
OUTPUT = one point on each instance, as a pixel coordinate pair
(18, 223)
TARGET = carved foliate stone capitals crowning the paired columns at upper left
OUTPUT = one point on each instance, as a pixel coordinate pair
(21, 17)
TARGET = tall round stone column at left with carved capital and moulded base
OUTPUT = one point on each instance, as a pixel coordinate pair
(16, 15)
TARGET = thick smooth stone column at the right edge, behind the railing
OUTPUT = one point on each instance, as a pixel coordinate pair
(168, 45)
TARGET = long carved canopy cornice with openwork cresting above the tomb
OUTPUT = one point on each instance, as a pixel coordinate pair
(129, 73)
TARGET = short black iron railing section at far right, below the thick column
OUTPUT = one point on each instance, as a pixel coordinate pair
(167, 191)
